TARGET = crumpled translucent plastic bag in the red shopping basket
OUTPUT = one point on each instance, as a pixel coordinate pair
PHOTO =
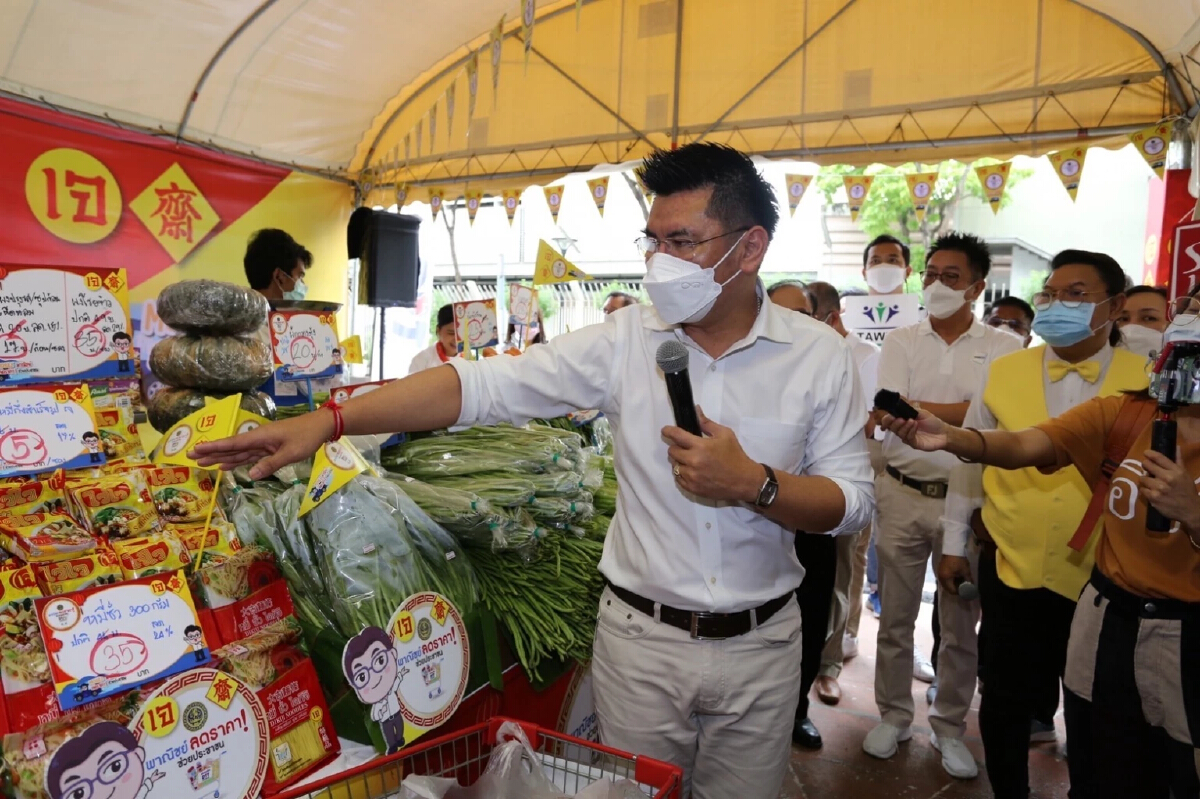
(514, 772)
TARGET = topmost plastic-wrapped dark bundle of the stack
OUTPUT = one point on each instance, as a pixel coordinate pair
(212, 308)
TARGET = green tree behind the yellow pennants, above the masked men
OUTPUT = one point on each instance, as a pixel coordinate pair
(890, 208)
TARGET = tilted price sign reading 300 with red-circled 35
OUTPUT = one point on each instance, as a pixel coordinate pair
(110, 639)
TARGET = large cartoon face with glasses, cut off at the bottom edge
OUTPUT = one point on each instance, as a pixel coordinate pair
(105, 762)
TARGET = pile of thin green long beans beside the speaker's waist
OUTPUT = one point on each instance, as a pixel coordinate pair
(549, 604)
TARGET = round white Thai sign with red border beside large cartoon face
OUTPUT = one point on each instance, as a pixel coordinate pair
(205, 735)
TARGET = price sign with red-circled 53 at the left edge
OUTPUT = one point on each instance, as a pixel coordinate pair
(46, 428)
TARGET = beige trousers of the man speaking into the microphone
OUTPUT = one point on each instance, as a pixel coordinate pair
(723, 711)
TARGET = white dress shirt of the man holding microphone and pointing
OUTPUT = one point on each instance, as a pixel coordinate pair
(789, 391)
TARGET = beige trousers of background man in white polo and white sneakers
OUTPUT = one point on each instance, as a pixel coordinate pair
(908, 533)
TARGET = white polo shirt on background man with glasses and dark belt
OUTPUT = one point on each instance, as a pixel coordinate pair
(919, 364)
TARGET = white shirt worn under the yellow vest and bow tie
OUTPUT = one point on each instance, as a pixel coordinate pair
(965, 494)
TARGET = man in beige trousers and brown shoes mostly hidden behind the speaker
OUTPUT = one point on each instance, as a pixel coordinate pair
(827, 309)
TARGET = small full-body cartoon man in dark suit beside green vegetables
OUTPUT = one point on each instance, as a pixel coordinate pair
(373, 669)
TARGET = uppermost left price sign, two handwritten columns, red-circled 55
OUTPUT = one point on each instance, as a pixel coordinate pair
(64, 323)
